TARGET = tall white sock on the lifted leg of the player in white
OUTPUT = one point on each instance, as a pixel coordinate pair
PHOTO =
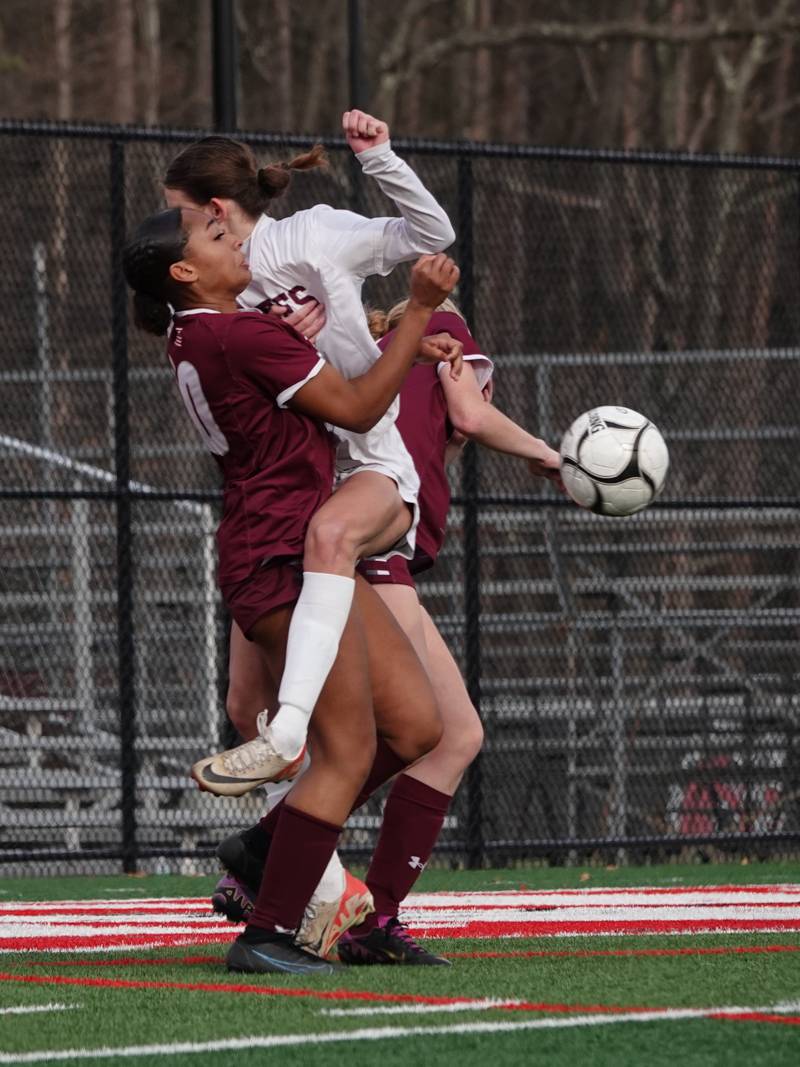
(317, 625)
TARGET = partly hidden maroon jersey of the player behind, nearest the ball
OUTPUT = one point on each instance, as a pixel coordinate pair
(425, 428)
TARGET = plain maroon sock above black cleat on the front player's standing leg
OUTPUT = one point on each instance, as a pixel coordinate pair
(301, 848)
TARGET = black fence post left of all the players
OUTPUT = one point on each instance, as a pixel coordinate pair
(124, 554)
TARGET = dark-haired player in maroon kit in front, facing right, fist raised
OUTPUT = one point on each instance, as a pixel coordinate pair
(261, 395)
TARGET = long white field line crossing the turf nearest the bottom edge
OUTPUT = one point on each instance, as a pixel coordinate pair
(374, 1034)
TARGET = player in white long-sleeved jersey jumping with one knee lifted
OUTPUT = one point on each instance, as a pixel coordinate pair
(319, 254)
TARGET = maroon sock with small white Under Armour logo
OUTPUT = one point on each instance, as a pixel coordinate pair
(412, 822)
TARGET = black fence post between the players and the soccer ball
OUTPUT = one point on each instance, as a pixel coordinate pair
(470, 485)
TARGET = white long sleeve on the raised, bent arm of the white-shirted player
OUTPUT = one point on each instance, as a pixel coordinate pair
(377, 246)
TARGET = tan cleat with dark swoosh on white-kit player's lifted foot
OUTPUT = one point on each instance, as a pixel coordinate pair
(238, 771)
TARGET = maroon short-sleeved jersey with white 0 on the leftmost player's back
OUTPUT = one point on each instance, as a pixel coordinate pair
(236, 374)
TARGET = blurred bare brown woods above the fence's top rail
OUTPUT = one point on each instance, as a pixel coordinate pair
(717, 76)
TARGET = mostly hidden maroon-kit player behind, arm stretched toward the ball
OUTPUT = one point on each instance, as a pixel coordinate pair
(434, 412)
